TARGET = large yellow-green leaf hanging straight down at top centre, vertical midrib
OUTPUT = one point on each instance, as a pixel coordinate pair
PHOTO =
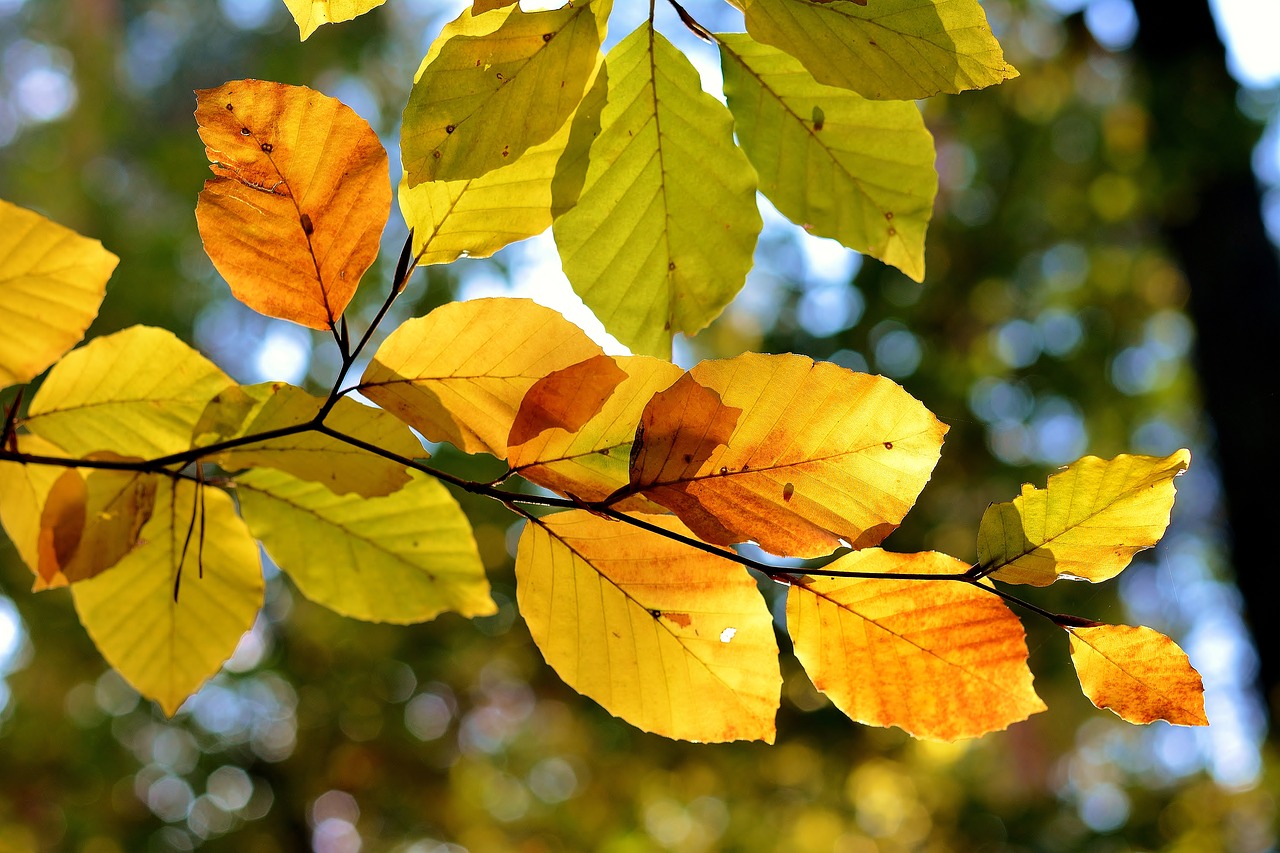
(662, 235)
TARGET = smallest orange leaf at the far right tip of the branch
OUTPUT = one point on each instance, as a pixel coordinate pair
(1137, 673)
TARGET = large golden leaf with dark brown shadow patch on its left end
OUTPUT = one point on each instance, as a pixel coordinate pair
(817, 455)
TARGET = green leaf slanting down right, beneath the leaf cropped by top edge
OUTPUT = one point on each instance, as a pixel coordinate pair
(835, 163)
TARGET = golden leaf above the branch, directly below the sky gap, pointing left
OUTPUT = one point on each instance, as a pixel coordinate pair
(460, 373)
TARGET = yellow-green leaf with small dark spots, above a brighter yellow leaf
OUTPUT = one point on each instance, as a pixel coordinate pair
(495, 85)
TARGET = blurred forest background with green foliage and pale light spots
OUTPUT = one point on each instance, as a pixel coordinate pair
(1064, 314)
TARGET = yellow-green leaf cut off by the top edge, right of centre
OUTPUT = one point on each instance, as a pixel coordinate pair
(888, 49)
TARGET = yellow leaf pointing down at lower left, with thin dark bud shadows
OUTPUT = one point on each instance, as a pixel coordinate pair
(168, 649)
